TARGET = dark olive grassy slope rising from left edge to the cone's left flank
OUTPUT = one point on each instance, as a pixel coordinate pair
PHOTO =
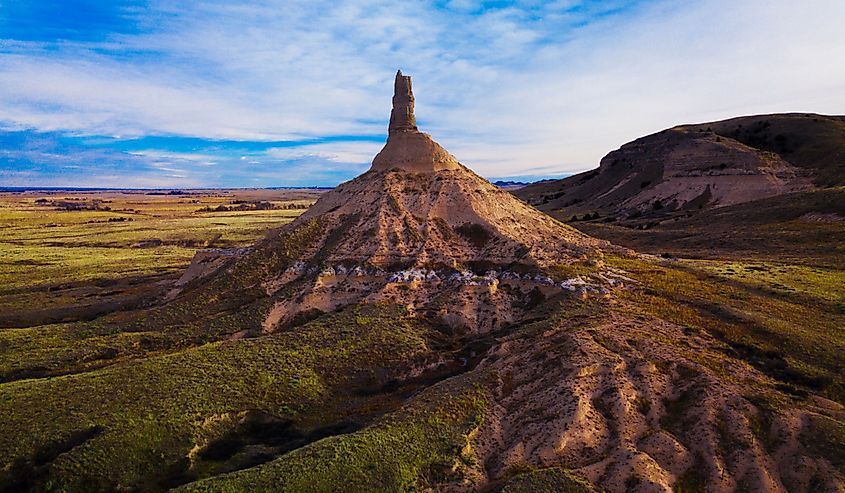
(215, 309)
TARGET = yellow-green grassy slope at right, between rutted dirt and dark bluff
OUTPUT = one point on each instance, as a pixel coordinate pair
(797, 340)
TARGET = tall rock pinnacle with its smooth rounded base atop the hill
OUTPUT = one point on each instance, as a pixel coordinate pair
(407, 148)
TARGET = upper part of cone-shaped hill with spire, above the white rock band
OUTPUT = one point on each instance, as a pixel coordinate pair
(417, 206)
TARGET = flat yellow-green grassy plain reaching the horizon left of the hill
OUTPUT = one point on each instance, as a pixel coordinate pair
(55, 263)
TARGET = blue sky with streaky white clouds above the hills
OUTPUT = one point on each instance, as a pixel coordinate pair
(165, 93)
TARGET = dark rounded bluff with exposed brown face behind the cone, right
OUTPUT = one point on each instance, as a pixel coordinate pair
(690, 168)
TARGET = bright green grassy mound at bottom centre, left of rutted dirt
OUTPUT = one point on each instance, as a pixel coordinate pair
(410, 450)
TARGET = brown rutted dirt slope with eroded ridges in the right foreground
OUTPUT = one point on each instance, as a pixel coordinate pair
(636, 406)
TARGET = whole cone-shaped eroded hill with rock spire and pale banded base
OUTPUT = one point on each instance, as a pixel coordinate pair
(418, 229)
